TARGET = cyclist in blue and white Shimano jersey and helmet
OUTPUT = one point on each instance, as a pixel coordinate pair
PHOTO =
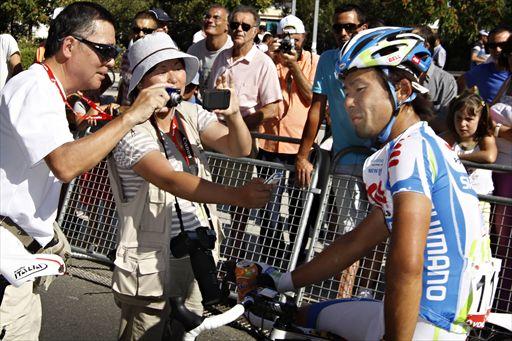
(422, 200)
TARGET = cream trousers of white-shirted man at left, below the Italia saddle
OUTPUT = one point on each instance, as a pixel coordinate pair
(20, 313)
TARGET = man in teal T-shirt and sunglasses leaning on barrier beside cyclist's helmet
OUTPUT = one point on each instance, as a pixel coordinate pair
(348, 20)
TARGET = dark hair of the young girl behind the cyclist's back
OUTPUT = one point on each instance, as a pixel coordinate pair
(471, 102)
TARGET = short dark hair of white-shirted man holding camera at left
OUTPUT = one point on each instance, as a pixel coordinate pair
(76, 19)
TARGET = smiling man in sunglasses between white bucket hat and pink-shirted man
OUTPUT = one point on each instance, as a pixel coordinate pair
(215, 27)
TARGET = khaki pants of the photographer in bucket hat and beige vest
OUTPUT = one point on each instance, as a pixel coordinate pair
(139, 322)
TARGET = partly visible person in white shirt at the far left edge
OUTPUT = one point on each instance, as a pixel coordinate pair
(10, 58)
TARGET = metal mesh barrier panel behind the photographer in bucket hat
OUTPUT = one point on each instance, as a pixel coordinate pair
(273, 234)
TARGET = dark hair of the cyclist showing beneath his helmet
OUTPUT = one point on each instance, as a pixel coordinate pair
(422, 105)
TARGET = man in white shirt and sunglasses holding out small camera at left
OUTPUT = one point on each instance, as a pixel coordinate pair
(38, 153)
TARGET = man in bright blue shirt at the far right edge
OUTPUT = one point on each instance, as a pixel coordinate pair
(489, 76)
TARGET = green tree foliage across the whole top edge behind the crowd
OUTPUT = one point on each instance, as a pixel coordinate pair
(460, 20)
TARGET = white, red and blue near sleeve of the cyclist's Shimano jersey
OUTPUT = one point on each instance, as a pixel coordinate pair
(410, 167)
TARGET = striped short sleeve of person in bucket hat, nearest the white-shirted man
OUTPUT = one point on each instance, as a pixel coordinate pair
(132, 148)
